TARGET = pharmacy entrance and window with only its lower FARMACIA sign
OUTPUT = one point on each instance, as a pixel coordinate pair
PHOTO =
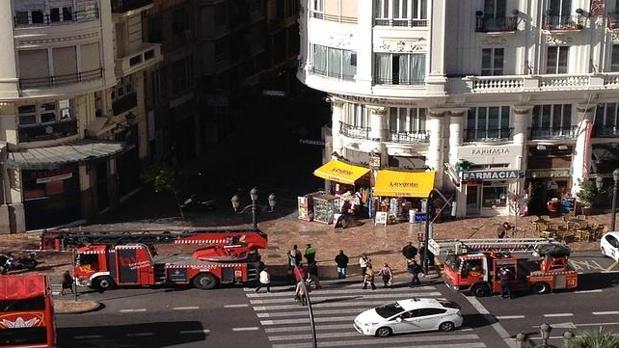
(487, 191)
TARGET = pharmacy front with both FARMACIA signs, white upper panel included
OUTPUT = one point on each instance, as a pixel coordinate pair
(485, 177)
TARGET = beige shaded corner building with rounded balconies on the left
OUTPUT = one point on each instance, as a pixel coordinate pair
(73, 125)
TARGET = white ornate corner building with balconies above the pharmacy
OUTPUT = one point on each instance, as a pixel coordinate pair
(498, 97)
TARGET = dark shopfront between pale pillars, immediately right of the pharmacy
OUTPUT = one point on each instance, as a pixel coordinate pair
(548, 177)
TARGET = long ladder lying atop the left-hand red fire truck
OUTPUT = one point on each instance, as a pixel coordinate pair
(67, 239)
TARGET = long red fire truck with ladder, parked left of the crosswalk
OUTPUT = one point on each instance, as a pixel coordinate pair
(108, 260)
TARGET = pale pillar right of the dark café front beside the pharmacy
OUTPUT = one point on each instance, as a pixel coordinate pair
(582, 151)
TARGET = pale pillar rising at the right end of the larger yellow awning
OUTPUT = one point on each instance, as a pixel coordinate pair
(435, 156)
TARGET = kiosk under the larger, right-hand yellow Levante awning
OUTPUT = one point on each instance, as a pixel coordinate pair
(402, 192)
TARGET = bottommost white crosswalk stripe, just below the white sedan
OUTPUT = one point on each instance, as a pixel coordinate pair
(388, 340)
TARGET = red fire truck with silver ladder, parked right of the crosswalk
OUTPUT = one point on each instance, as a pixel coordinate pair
(539, 265)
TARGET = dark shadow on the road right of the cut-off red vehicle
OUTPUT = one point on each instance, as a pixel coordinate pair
(152, 335)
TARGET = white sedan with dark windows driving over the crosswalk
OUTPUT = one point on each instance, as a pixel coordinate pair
(412, 315)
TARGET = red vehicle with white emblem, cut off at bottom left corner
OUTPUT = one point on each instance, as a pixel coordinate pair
(26, 311)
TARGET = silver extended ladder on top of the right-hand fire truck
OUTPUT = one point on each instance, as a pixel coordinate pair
(511, 245)
